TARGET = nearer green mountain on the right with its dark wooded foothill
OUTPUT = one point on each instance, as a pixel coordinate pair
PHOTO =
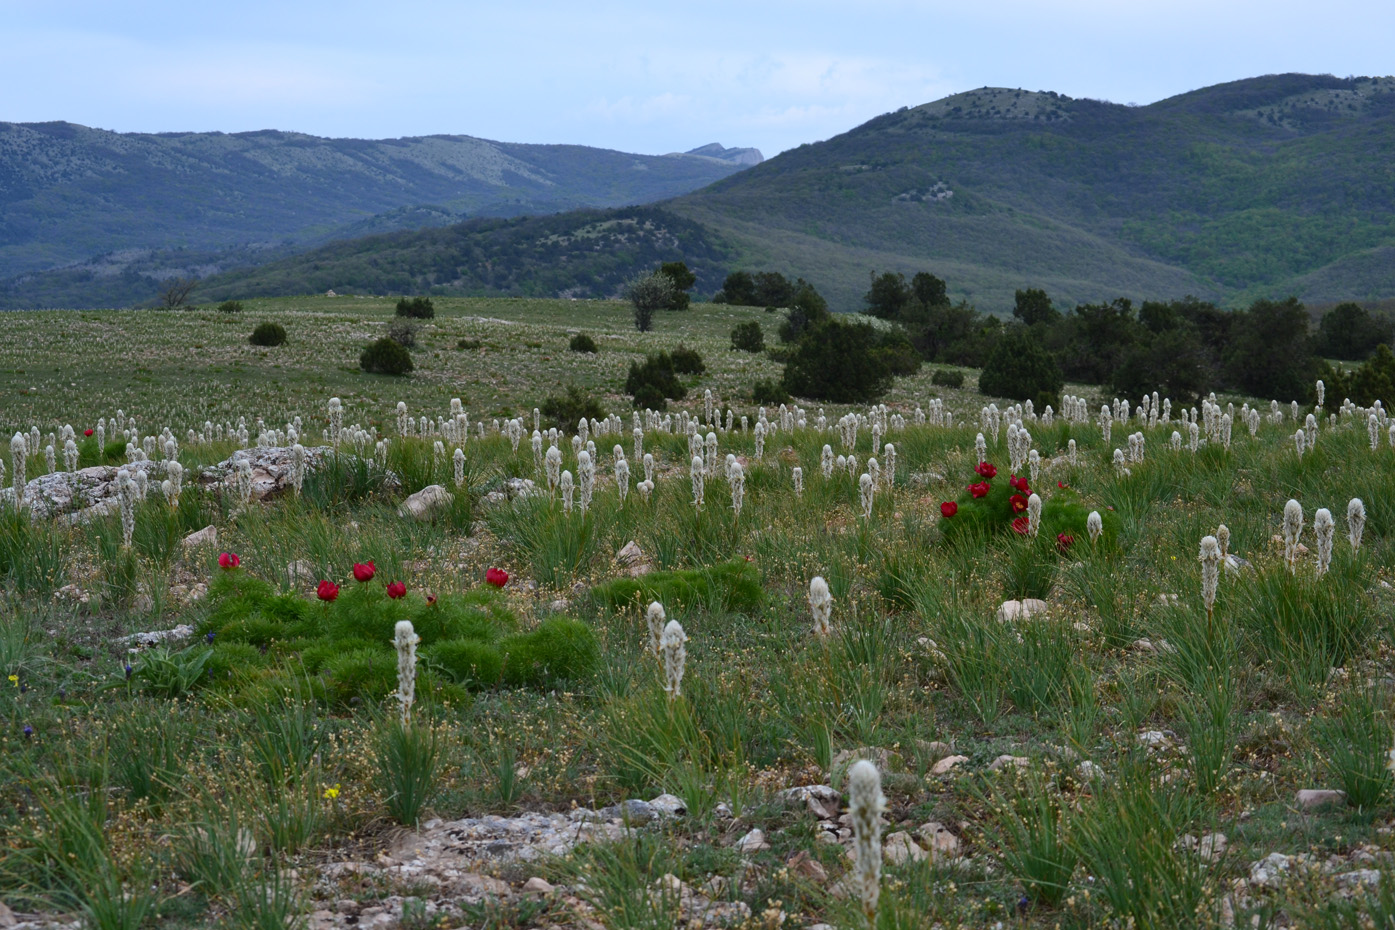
(1260, 188)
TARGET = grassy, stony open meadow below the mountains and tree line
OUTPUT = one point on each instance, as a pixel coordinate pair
(1104, 752)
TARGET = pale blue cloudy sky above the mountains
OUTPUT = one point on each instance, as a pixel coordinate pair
(637, 76)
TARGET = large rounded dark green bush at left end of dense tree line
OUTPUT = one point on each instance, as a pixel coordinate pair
(839, 363)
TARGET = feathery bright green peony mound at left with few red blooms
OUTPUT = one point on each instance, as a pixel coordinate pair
(469, 642)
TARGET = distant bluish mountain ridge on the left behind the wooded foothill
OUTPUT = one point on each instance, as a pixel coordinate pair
(69, 193)
